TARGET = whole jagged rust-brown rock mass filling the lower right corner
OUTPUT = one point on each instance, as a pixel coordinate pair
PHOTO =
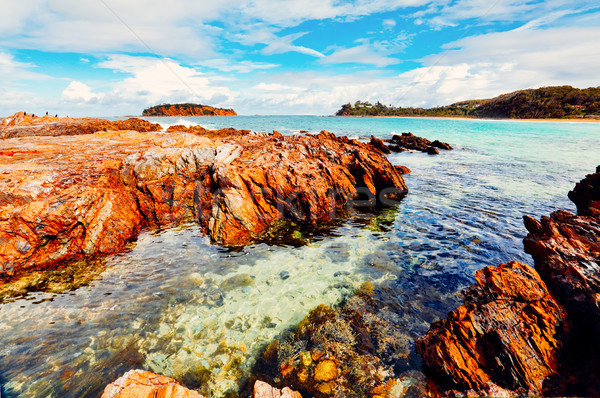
(524, 333)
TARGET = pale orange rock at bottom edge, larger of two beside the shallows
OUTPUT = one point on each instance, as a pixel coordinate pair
(143, 384)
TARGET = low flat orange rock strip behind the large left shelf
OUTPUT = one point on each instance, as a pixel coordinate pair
(25, 125)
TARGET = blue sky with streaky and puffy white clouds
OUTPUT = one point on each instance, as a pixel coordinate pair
(292, 57)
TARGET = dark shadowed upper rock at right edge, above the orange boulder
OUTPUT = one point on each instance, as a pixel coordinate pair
(566, 251)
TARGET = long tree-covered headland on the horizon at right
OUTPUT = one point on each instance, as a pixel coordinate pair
(542, 103)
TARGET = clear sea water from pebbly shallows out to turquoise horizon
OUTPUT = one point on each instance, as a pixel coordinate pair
(177, 305)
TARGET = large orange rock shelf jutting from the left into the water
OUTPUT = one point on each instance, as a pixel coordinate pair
(64, 198)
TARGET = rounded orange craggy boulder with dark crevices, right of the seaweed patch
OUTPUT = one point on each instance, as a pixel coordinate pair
(507, 336)
